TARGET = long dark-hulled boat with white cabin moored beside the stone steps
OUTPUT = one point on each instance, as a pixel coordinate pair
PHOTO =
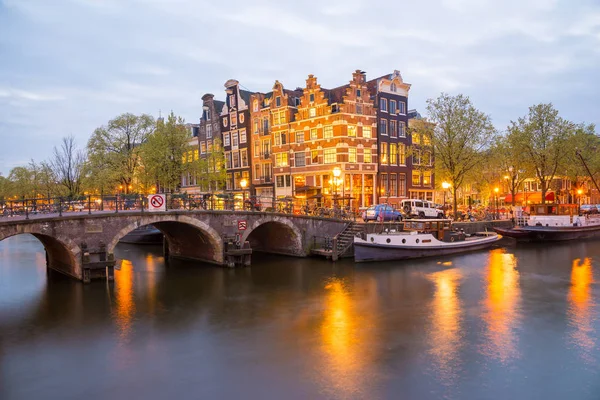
(418, 238)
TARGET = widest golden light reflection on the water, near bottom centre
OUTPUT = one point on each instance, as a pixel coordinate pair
(343, 341)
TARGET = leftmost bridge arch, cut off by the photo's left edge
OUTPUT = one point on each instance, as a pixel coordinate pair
(62, 253)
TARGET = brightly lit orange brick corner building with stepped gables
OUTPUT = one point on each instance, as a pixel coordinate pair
(332, 128)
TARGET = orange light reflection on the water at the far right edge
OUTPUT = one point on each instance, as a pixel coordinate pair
(581, 306)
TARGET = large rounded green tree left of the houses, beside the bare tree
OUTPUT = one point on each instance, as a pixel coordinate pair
(114, 150)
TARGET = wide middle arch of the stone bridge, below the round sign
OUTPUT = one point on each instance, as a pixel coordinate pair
(187, 237)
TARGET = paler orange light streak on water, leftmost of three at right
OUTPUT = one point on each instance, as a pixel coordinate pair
(446, 334)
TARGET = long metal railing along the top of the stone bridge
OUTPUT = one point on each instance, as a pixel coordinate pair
(121, 202)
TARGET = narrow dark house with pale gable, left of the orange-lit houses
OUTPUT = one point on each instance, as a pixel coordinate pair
(235, 127)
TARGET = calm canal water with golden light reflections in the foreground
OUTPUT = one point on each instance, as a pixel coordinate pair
(519, 322)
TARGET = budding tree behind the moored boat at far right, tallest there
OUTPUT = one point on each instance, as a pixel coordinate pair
(543, 137)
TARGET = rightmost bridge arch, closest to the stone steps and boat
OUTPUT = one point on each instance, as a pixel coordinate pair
(277, 235)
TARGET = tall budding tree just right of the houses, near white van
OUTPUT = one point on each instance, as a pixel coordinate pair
(461, 135)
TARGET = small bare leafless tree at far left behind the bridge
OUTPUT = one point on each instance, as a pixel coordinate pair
(67, 165)
